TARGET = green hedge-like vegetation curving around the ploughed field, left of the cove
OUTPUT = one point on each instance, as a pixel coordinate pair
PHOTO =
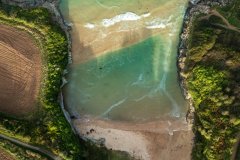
(48, 127)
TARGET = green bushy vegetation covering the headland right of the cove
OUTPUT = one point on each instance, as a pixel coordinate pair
(213, 67)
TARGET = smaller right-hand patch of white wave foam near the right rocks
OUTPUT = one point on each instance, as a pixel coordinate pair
(159, 23)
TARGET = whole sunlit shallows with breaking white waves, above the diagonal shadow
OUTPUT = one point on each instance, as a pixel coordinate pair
(99, 30)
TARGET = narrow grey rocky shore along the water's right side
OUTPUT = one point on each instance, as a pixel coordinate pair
(195, 7)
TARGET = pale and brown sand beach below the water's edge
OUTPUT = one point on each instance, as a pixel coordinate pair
(157, 140)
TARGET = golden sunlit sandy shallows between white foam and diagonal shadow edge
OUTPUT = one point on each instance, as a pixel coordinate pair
(91, 44)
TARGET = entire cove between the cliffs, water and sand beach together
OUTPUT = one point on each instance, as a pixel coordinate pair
(123, 79)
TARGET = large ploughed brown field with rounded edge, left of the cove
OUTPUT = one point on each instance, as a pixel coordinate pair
(20, 72)
